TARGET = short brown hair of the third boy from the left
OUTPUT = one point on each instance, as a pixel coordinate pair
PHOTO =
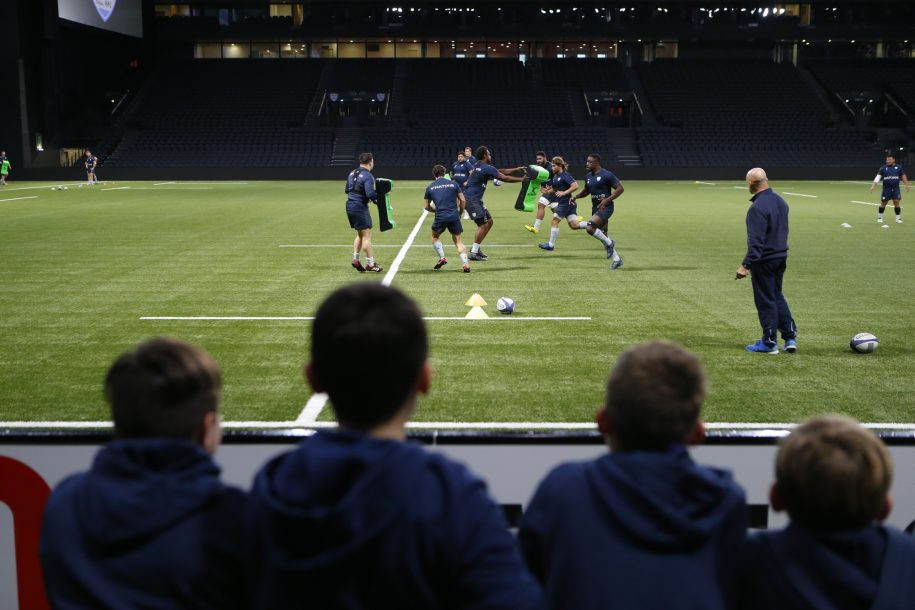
(654, 396)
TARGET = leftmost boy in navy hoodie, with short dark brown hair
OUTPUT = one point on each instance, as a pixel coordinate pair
(150, 525)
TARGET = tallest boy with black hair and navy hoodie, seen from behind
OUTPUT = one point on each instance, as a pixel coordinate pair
(356, 518)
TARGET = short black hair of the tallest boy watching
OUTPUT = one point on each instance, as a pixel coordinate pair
(368, 346)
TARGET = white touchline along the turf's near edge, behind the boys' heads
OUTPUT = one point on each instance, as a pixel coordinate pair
(436, 425)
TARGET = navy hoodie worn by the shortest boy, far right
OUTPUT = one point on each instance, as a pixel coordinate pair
(799, 568)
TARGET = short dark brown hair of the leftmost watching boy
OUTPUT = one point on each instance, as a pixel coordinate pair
(164, 388)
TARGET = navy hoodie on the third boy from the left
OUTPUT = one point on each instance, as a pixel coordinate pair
(635, 530)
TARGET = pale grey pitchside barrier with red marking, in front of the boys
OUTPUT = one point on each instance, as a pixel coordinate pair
(32, 463)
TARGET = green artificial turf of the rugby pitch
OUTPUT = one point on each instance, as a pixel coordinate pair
(80, 268)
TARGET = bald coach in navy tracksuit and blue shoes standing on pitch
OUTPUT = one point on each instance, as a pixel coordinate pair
(767, 253)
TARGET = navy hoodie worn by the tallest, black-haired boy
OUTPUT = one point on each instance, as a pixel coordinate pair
(349, 521)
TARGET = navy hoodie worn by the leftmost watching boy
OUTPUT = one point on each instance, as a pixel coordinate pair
(149, 526)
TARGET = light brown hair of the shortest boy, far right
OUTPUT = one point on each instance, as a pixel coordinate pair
(832, 474)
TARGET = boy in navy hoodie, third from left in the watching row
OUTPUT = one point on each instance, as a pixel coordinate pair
(643, 526)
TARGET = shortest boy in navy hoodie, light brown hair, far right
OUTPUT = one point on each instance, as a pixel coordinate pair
(833, 477)
